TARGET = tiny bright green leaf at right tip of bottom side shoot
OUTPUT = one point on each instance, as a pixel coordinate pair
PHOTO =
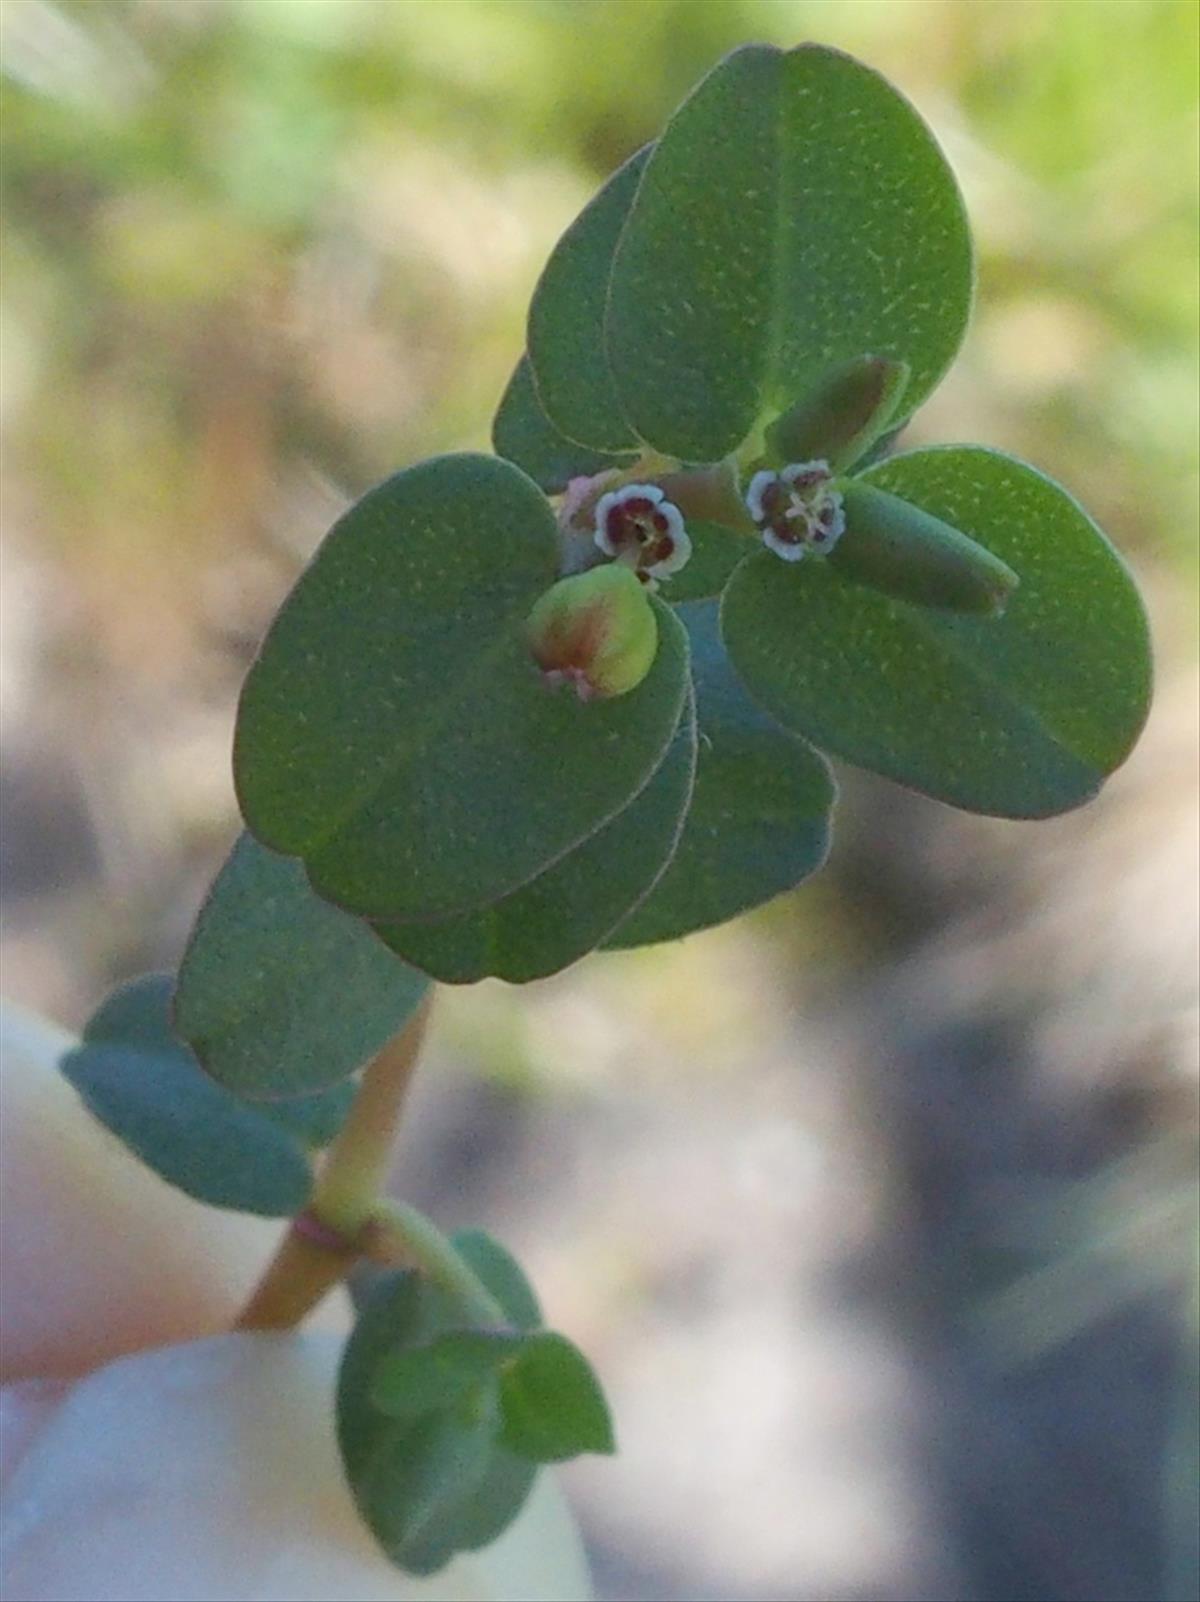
(552, 1403)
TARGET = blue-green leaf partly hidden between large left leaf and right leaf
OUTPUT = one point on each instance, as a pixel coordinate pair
(760, 815)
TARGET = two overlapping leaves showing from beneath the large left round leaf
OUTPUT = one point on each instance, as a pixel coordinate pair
(738, 813)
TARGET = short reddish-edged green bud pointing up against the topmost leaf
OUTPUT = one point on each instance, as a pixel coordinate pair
(842, 417)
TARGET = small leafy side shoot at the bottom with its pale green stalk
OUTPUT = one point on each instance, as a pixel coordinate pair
(443, 1423)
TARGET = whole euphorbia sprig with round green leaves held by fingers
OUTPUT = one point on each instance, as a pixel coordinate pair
(581, 694)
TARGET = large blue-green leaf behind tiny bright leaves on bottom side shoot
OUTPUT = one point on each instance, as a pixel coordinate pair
(427, 1487)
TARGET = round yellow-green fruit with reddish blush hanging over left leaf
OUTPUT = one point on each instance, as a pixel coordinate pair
(595, 632)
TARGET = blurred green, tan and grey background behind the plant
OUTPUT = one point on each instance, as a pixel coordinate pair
(877, 1210)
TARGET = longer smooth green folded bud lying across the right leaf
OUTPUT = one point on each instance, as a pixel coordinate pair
(911, 555)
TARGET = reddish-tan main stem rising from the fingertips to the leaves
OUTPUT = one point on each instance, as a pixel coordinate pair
(347, 1194)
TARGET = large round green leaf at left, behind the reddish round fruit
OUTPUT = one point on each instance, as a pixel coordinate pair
(395, 731)
